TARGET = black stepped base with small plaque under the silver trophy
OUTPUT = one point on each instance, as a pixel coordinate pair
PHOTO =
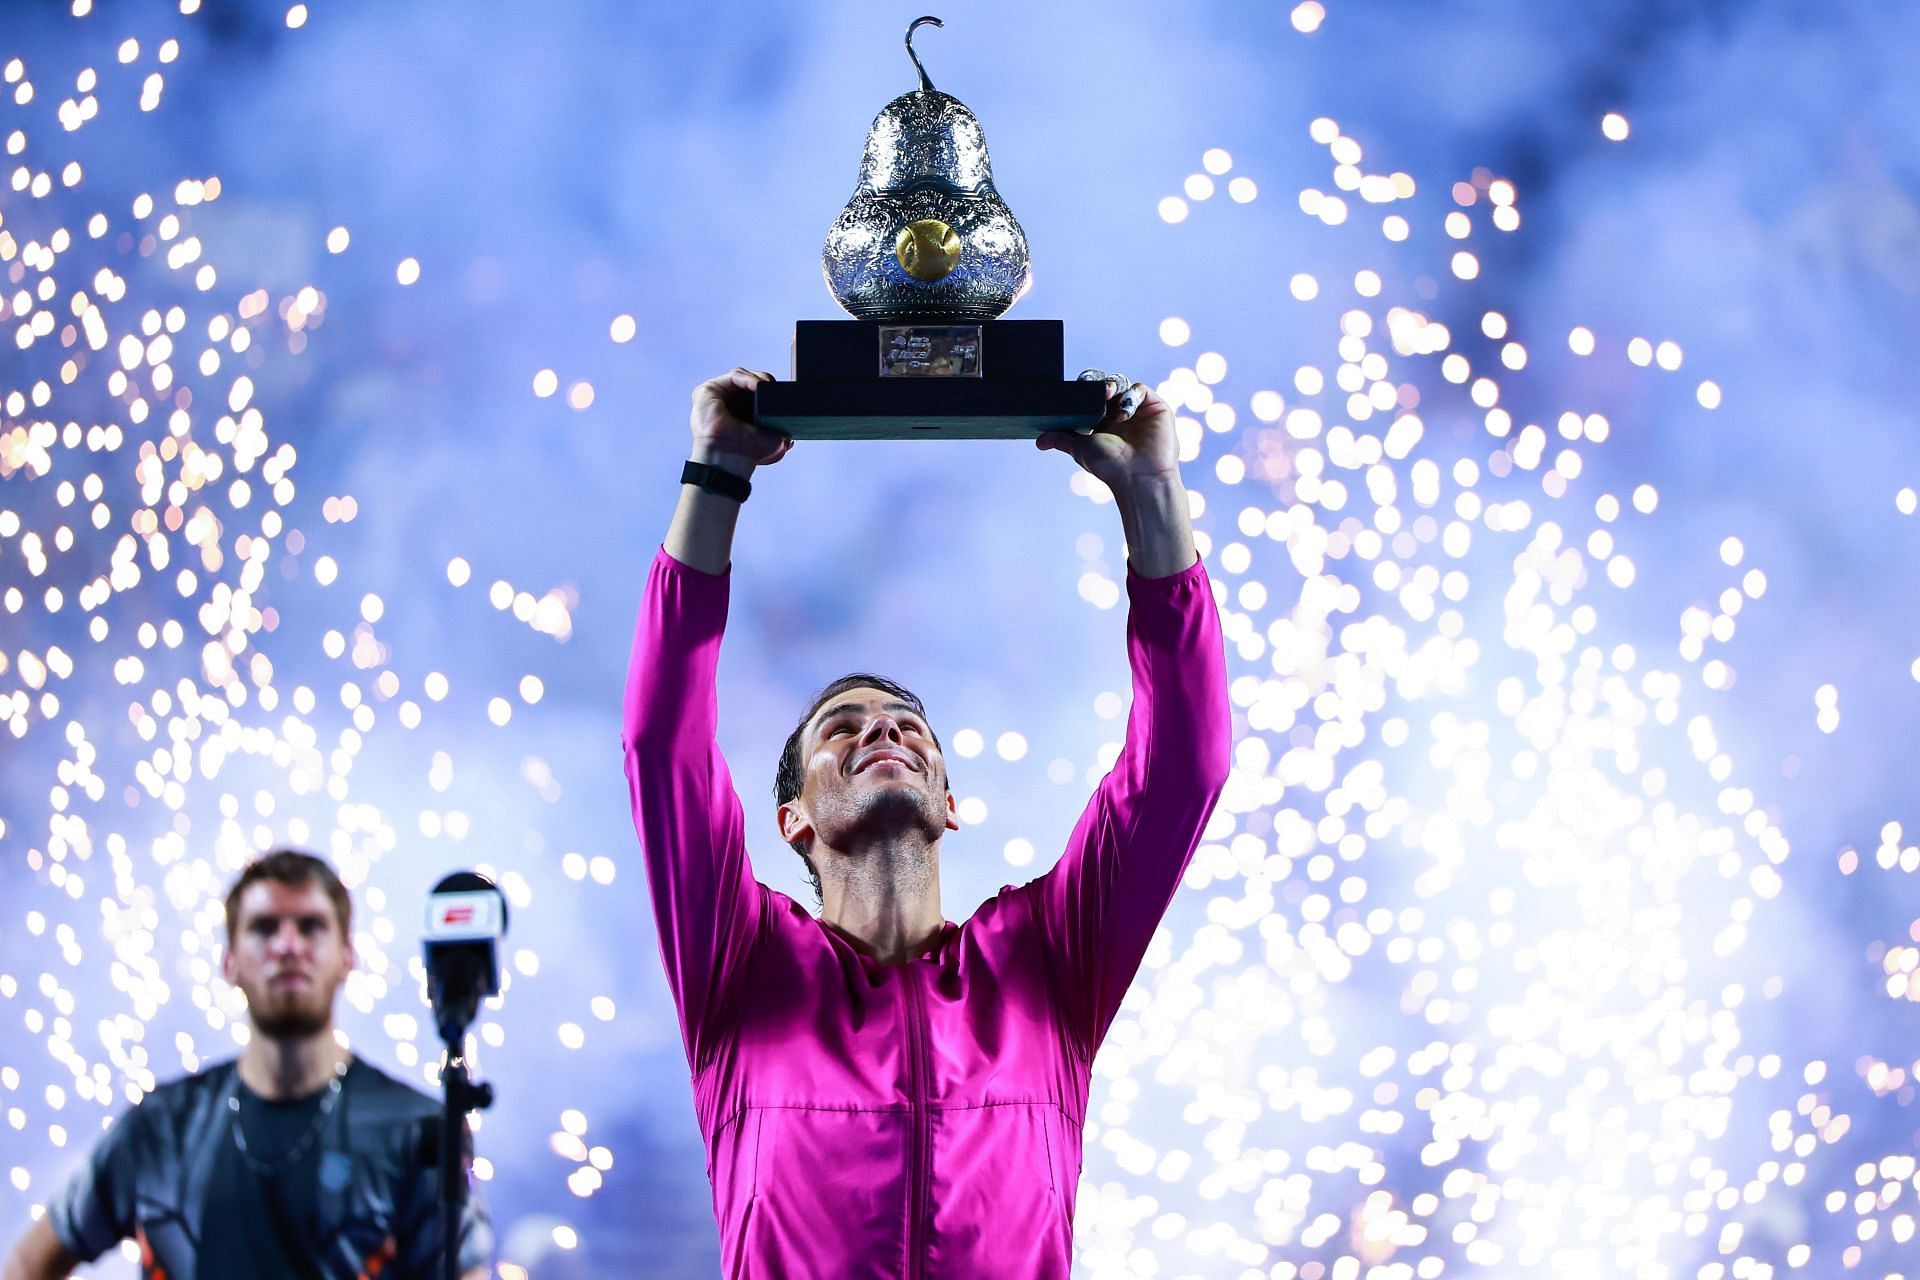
(928, 381)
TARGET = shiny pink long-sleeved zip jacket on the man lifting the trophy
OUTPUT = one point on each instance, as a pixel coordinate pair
(917, 1120)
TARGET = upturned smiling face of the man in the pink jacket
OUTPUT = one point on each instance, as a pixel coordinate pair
(871, 770)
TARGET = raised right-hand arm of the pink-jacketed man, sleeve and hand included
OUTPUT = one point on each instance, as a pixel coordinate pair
(1107, 895)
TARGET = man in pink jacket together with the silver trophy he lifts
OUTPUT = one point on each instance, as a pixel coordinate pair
(886, 1093)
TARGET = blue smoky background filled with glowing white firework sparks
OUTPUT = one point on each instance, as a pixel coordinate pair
(1545, 383)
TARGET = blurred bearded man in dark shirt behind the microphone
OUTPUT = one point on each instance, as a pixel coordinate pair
(293, 1162)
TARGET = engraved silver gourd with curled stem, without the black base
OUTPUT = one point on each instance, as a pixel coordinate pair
(926, 237)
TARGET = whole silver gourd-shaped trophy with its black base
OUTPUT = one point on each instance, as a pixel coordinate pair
(926, 258)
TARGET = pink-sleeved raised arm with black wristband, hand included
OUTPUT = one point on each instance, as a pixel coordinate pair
(690, 824)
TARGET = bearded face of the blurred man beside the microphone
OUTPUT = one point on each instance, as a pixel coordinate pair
(289, 957)
